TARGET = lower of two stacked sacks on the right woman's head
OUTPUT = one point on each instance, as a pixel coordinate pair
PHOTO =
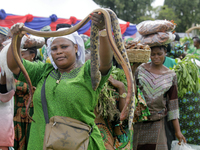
(157, 39)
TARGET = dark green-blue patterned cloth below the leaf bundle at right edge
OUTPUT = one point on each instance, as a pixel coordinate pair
(190, 117)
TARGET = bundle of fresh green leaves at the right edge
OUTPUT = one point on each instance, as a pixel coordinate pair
(187, 75)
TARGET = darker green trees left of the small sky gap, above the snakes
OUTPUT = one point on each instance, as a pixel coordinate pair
(133, 11)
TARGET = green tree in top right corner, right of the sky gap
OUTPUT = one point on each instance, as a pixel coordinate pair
(188, 11)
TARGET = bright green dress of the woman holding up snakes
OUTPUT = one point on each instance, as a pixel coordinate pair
(72, 97)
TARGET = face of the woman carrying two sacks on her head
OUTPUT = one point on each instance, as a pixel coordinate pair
(157, 55)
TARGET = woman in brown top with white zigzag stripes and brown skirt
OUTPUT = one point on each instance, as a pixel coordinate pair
(157, 83)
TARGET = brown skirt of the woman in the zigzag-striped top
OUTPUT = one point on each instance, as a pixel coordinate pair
(150, 135)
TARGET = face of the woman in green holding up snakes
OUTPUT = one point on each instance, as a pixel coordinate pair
(63, 52)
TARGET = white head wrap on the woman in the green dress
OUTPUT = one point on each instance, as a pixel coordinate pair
(76, 39)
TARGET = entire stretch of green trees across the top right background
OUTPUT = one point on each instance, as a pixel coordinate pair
(185, 13)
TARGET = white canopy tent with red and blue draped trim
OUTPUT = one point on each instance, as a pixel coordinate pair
(37, 19)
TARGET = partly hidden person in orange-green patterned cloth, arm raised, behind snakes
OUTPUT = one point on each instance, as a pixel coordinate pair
(112, 132)
